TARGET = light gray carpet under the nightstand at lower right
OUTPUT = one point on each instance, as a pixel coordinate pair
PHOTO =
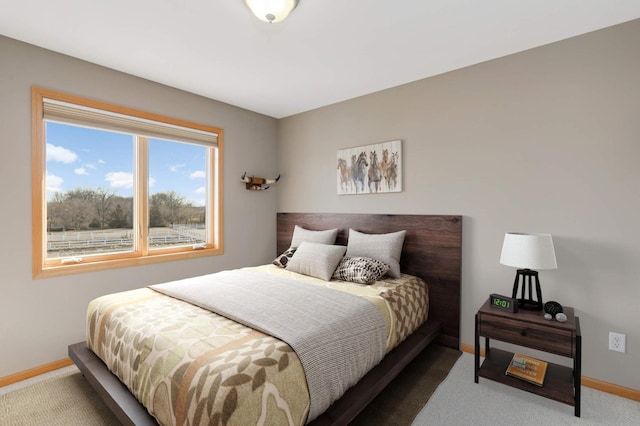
(460, 401)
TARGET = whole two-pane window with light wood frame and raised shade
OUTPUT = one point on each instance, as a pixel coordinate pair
(113, 186)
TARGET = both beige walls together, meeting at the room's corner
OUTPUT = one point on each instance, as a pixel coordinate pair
(543, 141)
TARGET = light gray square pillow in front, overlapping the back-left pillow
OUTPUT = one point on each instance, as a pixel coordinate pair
(316, 260)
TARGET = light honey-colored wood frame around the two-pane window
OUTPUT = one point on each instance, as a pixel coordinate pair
(142, 254)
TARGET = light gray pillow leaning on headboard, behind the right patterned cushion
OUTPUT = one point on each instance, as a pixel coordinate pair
(386, 248)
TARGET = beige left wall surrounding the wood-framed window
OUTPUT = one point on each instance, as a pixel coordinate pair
(39, 318)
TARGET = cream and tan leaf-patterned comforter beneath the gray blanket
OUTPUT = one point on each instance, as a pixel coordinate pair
(190, 366)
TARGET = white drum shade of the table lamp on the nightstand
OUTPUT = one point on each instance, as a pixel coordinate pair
(528, 251)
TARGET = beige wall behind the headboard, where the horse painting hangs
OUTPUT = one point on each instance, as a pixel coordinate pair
(546, 140)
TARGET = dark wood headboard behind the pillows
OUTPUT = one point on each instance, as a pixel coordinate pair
(432, 251)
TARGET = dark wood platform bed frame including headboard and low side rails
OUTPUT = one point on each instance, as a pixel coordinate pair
(432, 250)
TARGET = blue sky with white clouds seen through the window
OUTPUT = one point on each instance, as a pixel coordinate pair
(89, 158)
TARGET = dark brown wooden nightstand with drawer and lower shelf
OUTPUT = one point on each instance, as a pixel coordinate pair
(530, 330)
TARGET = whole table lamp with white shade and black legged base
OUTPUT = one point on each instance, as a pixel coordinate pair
(528, 252)
